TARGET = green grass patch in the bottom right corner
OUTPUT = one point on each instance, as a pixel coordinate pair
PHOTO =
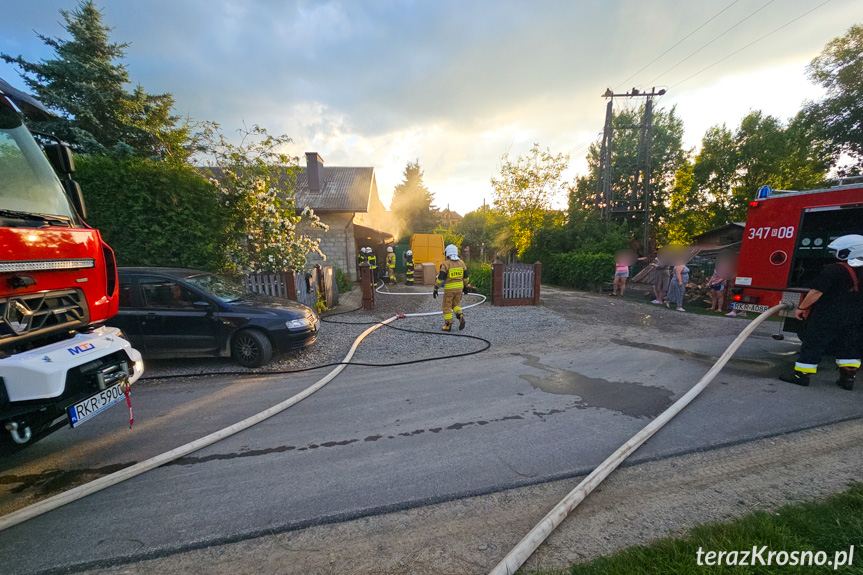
(831, 526)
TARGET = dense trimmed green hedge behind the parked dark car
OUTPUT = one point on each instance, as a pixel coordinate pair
(154, 214)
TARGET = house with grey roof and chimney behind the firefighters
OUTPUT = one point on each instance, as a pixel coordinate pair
(346, 199)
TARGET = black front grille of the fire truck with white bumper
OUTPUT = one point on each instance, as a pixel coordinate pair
(32, 315)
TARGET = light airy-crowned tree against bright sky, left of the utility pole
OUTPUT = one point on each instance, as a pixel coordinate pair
(526, 190)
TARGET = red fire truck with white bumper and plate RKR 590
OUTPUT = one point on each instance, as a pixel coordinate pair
(59, 365)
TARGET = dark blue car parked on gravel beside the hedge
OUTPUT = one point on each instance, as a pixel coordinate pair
(172, 312)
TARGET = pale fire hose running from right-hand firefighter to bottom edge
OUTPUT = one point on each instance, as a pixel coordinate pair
(525, 548)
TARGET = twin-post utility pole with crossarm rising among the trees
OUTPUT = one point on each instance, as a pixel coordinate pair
(605, 199)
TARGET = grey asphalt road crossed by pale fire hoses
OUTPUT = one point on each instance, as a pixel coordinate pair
(383, 439)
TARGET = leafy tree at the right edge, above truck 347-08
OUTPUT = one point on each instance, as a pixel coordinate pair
(838, 118)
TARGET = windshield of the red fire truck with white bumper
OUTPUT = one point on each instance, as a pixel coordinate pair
(28, 184)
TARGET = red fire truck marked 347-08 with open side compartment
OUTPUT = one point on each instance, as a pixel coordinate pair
(785, 243)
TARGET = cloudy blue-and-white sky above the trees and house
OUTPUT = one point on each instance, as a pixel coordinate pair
(455, 84)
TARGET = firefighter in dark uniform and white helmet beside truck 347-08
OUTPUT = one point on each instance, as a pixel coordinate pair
(833, 310)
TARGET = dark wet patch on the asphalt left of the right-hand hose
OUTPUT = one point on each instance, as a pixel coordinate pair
(628, 398)
